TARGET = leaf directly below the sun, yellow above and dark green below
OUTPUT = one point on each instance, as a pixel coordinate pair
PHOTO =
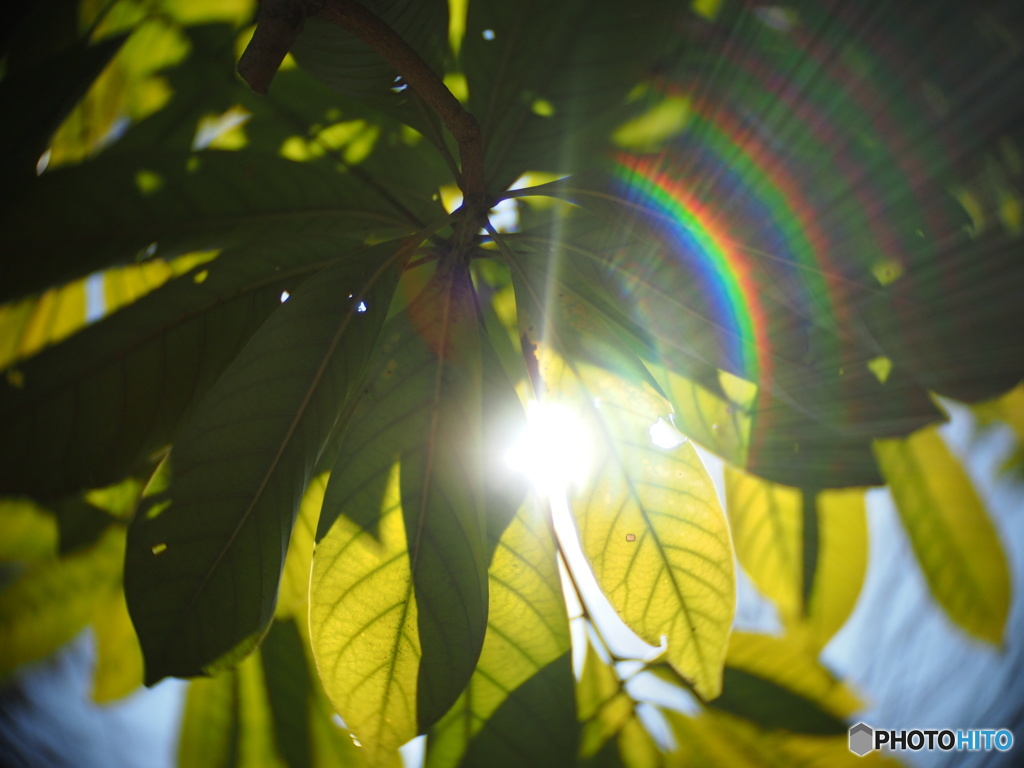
(524, 682)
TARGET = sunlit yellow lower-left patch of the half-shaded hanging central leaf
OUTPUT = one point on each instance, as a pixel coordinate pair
(363, 623)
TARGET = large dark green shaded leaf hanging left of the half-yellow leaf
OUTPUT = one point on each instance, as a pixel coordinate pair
(241, 465)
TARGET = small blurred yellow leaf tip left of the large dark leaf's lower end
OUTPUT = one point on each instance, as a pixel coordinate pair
(119, 658)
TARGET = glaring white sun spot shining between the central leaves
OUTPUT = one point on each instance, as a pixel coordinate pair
(554, 451)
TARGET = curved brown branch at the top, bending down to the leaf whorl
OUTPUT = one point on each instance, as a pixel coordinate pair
(279, 24)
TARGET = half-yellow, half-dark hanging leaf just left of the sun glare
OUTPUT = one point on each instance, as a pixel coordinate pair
(399, 599)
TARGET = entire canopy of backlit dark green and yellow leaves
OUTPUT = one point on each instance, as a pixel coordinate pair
(309, 496)
